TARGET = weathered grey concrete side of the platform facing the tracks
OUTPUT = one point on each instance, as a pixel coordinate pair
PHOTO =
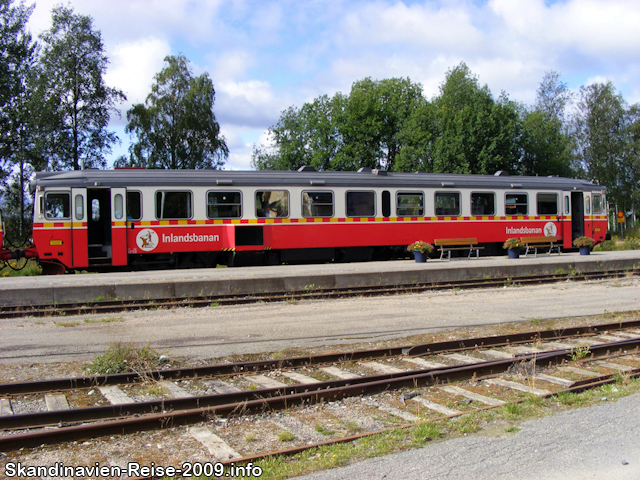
(398, 274)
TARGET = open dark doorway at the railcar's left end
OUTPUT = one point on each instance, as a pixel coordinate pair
(99, 226)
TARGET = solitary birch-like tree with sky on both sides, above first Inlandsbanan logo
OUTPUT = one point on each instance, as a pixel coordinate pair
(176, 126)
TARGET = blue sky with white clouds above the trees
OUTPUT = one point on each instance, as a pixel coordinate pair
(264, 56)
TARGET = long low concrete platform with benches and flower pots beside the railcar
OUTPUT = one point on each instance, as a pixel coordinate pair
(253, 280)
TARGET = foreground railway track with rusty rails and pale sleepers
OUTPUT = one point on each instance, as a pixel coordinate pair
(385, 388)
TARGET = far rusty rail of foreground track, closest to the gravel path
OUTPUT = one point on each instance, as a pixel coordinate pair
(24, 388)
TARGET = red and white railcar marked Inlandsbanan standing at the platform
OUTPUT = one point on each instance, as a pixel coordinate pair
(136, 219)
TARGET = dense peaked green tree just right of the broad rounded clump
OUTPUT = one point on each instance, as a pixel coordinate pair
(476, 134)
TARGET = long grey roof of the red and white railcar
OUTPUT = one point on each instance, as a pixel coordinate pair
(303, 178)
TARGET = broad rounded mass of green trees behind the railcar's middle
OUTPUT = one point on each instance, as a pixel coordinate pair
(363, 129)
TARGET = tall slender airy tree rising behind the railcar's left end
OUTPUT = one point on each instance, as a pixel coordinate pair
(73, 103)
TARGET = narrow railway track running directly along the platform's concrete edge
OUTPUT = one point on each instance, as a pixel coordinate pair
(114, 306)
